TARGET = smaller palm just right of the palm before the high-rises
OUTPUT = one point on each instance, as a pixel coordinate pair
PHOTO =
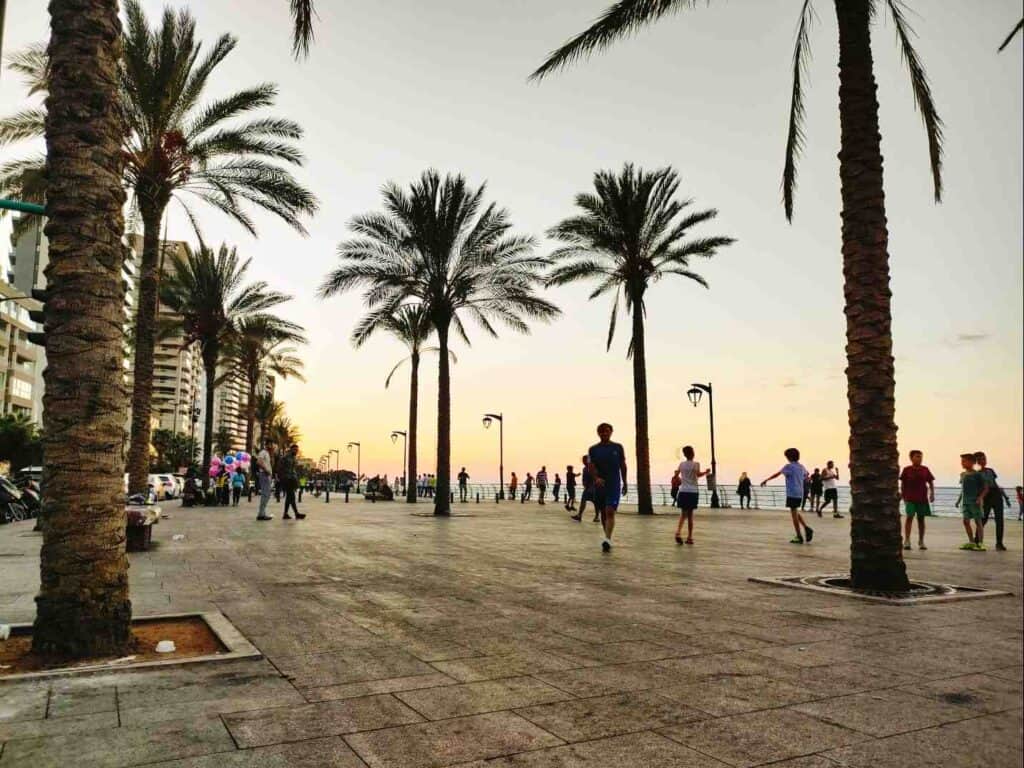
(259, 350)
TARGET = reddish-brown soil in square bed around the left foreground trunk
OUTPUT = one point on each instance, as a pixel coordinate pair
(192, 637)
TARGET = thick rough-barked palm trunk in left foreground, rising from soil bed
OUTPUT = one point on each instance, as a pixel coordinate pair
(83, 608)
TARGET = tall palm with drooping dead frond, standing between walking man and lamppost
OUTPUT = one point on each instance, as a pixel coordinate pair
(632, 233)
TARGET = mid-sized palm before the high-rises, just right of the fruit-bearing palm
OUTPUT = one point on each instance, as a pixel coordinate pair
(208, 291)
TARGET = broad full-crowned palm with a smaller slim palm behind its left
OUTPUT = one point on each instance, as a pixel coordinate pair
(439, 245)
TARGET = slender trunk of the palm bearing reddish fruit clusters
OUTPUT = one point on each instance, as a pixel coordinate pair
(146, 319)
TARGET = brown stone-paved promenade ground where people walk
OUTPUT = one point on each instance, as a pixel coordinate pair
(505, 638)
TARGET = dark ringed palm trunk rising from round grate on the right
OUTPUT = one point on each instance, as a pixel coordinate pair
(877, 557)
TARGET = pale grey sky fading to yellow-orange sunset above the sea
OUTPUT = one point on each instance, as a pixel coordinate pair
(395, 88)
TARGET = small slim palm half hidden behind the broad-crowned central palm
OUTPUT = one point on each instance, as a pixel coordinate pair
(411, 325)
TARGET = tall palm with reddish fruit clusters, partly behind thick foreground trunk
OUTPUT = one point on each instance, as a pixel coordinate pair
(177, 147)
